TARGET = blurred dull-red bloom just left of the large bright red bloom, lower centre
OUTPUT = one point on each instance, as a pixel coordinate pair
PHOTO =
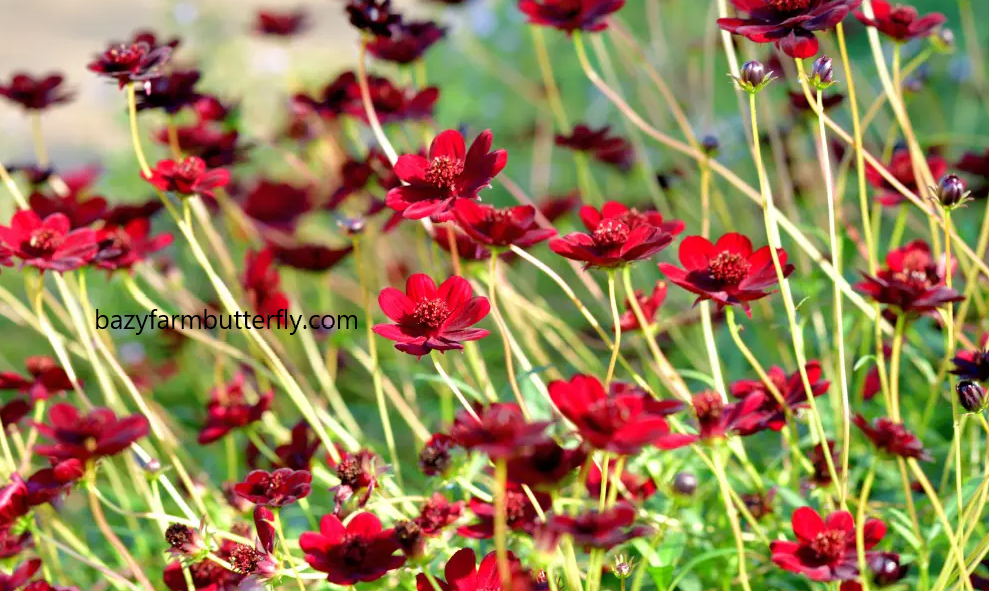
(498, 430)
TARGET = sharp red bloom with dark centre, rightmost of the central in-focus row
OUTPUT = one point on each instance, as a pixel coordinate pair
(727, 272)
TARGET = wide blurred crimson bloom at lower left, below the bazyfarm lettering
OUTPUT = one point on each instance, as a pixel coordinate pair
(88, 437)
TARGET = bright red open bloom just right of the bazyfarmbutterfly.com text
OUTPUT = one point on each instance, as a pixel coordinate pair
(428, 318)
